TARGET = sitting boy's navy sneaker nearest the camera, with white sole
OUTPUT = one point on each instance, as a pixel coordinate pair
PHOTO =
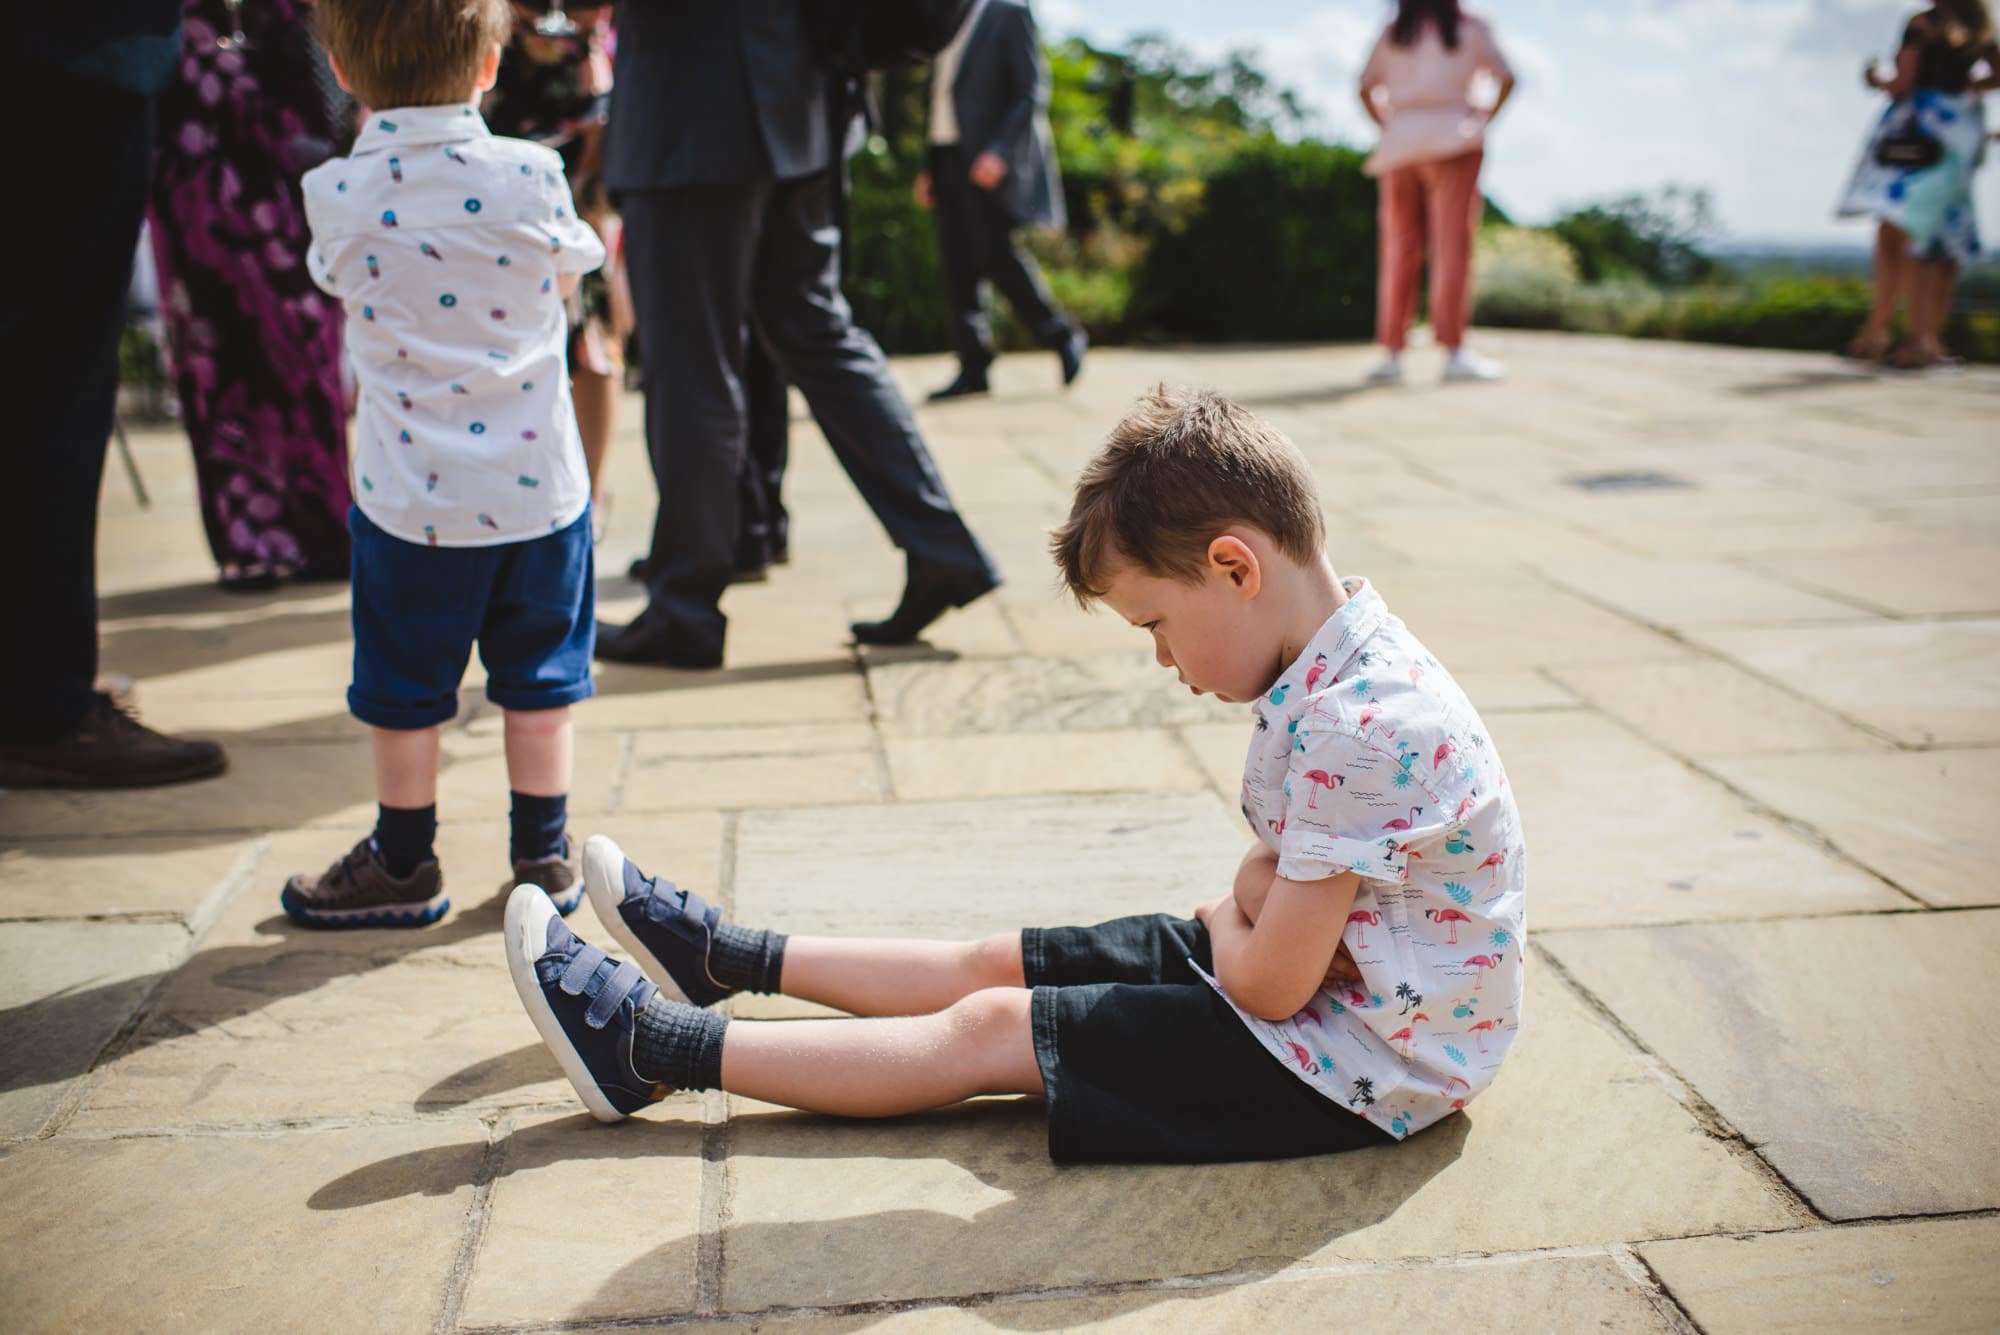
(583, 1002)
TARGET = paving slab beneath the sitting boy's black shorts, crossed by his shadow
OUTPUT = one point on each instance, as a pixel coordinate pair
(967, 1202)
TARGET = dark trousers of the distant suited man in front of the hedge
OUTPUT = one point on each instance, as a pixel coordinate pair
(977, 243)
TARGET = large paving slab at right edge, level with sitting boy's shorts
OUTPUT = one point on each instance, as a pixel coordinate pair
(1845, 1050)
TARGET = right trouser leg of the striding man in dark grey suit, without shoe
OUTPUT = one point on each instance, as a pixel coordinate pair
(809, 329)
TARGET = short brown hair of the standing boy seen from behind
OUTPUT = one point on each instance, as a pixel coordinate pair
(413, 53)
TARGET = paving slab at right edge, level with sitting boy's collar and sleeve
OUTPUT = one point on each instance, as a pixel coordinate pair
(1919, 818)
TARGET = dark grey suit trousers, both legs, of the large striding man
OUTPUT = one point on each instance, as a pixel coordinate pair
(707, 261)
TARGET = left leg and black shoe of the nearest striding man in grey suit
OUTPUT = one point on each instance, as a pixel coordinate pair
(689, 255)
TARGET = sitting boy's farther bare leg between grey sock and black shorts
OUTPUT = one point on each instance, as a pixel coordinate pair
(897, 978)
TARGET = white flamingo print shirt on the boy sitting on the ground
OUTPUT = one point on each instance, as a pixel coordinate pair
(1369, 758)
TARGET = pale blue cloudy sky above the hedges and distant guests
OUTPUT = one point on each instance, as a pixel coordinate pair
(1759, 101)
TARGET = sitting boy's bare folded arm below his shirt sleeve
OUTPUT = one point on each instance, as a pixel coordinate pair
(1273, 968)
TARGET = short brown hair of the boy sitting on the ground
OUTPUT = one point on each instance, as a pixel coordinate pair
(1181, 469)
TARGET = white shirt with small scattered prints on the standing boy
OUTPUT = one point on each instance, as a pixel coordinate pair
(447, 247)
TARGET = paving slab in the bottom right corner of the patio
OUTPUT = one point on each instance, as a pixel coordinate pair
(1933, 1276)
